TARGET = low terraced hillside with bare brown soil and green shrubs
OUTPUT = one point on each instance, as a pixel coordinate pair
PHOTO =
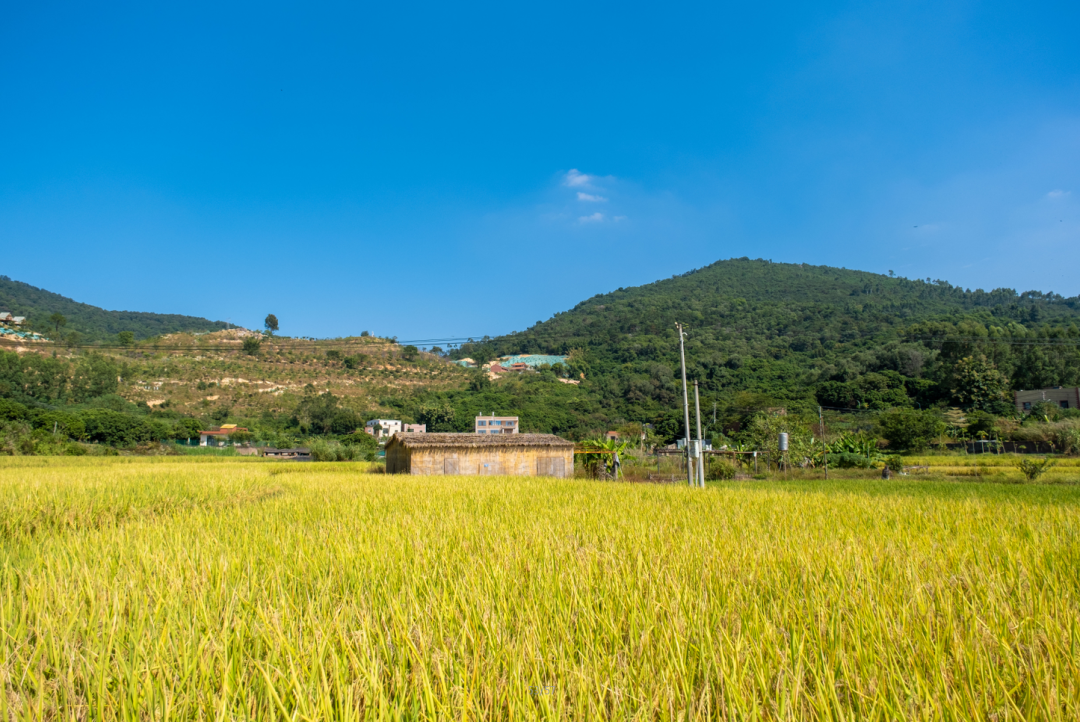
(169, 388)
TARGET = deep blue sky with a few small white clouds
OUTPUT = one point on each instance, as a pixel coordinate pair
(453, 170)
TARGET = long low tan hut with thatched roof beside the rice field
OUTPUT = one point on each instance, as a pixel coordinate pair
(471, 455)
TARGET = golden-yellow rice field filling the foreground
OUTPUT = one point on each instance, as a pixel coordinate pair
(166, 590)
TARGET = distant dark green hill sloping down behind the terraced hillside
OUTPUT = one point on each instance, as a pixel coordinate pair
(90, 322)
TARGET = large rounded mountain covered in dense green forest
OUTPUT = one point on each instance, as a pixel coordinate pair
(762, 334)
